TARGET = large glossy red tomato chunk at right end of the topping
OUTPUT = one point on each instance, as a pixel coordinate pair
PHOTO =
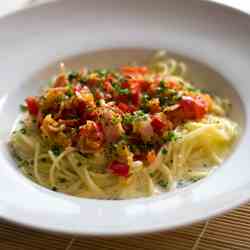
(192, 108)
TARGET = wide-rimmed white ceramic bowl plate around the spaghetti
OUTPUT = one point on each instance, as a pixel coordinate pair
(211, 37)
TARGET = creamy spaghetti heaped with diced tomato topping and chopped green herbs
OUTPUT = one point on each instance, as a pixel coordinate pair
(122, 133)
